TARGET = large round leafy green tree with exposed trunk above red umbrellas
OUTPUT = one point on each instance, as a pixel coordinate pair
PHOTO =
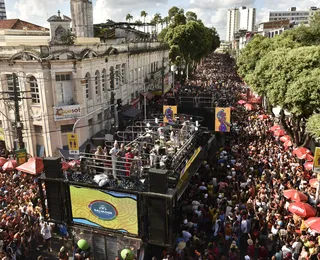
(290, 79)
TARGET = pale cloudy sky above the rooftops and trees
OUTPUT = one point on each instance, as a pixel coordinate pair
(211, 12)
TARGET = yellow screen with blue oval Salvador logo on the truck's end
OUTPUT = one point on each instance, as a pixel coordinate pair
(104, 209)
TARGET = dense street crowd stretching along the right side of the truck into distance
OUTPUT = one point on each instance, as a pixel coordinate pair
(235, 207)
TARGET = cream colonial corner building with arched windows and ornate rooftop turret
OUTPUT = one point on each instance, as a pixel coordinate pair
(61, 83)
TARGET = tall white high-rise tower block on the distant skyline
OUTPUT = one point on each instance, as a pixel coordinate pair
(240, 19)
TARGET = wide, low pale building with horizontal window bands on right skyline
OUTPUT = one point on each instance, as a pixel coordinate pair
(295, 16)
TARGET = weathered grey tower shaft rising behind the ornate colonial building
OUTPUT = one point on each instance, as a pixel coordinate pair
(82, 18)
